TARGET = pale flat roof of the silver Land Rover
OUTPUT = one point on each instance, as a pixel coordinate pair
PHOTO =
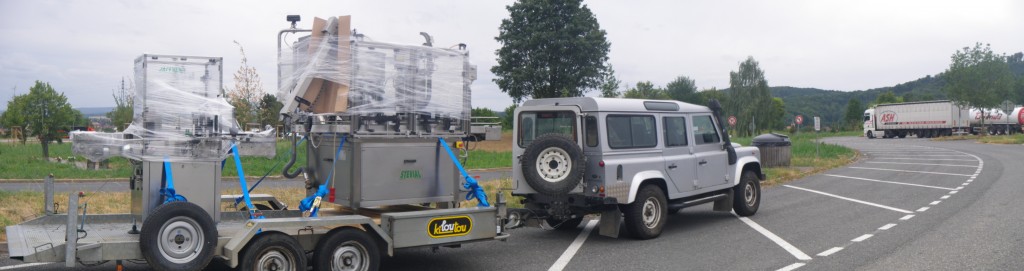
(620, 105)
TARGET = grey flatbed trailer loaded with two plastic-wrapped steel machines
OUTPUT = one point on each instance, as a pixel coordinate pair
(376, 119)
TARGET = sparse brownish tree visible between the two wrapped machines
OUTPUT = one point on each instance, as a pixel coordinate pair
(247, 92)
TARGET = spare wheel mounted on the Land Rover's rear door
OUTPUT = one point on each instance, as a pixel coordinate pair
(553, 165)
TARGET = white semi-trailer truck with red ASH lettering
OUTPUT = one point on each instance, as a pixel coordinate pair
(924, 119)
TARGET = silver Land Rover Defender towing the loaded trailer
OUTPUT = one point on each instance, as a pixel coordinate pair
(626, 159)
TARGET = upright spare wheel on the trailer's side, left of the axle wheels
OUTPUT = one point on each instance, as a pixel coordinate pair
(179, 236)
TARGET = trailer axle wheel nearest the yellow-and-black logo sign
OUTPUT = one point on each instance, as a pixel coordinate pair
(349, 249)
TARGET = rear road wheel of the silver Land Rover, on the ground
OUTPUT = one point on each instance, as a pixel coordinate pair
(646, 217)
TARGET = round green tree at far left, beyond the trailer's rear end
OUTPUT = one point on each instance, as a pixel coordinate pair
(48, 112)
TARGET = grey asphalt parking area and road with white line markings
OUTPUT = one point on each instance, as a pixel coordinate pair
(906, 205)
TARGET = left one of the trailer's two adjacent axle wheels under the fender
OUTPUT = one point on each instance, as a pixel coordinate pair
(273, 251)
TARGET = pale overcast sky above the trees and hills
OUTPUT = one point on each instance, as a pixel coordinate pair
(83, 49)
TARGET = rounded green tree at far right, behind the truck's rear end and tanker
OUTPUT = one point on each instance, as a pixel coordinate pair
(977, 78)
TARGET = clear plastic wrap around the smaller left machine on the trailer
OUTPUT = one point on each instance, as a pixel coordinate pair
(181, 115)
